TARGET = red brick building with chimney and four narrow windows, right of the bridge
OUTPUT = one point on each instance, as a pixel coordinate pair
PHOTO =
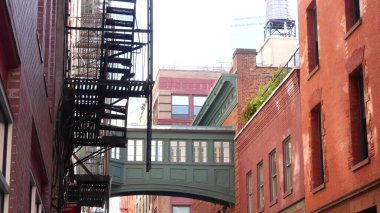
(268, 149)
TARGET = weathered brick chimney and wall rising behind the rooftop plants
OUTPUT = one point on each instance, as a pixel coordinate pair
(249, 78)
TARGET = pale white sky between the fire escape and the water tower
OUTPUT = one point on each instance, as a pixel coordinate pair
(197, 33)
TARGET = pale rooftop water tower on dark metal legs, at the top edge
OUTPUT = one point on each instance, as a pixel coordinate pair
(278, 19)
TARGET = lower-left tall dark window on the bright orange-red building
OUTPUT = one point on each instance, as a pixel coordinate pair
(317, 147)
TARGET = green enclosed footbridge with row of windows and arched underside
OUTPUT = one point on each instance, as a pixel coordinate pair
(195, 162)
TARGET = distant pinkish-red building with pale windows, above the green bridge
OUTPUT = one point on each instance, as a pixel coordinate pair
(179, 94)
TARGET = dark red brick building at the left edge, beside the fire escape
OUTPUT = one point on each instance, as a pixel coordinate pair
(29, 61)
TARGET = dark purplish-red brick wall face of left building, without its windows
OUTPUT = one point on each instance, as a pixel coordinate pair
(29, 103)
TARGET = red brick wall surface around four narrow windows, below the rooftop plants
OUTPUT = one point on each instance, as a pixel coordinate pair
(277, 120)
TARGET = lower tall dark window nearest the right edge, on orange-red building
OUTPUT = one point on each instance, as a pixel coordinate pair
(358, 116)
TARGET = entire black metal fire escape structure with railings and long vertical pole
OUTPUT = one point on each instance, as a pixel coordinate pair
(109, 60)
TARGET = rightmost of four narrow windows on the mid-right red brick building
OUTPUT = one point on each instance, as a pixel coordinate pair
(287, 165)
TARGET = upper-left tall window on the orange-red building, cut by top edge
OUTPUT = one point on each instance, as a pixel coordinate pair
(312, 33)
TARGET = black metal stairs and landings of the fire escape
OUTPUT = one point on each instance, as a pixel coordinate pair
(101, 101)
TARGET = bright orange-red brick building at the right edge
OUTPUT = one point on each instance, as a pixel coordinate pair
(340, 82)
